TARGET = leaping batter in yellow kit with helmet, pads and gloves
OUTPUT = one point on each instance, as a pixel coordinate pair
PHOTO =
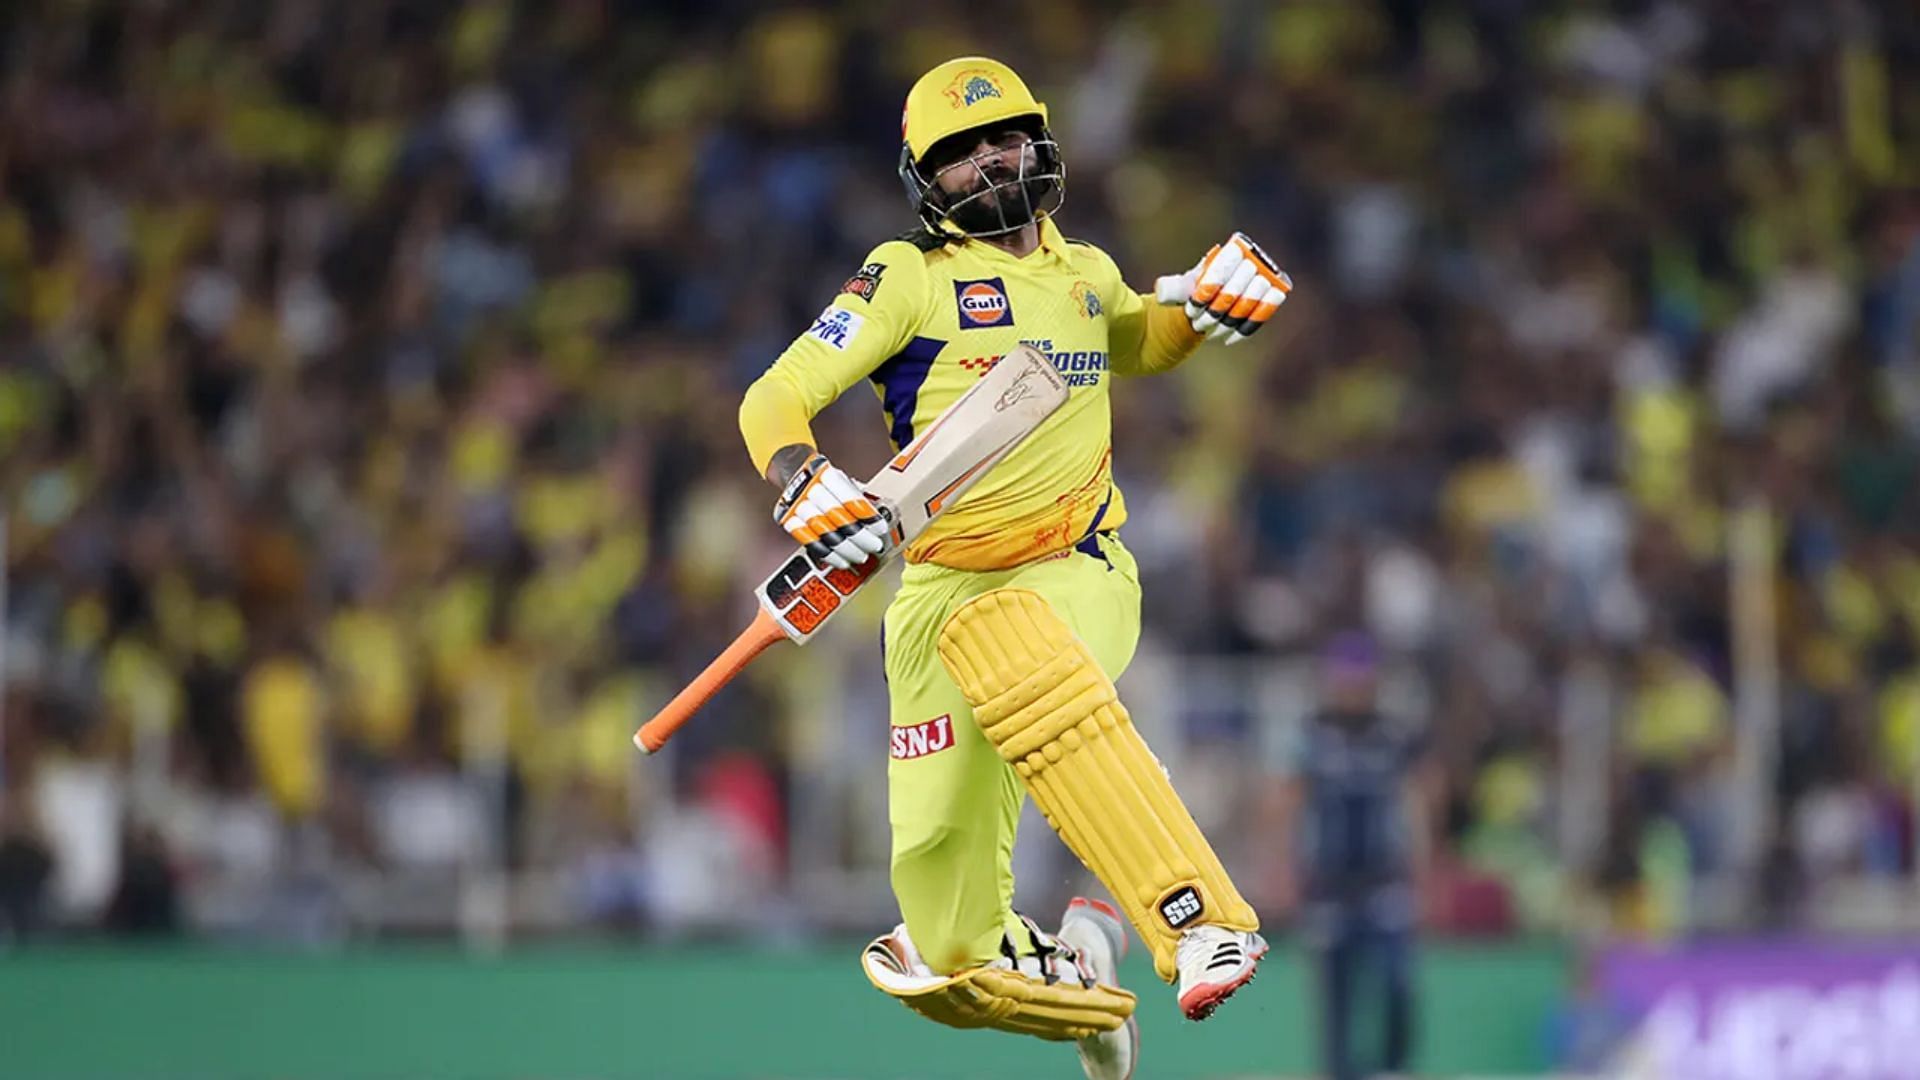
(1020, 606)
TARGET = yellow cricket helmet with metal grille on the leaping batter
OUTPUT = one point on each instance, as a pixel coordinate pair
(967, 95)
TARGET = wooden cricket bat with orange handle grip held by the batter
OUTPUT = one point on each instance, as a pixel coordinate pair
(923, 481)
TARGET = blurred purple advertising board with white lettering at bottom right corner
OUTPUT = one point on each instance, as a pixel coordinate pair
(1769, 1010)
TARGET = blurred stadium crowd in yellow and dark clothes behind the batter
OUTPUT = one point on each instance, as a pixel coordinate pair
(368, 381)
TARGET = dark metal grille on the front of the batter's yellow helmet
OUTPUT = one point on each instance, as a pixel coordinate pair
(1003, 203)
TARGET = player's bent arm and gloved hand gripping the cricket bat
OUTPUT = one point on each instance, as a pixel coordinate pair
(869, 322)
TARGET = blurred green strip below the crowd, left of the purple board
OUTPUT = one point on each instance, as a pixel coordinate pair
(681, 1014)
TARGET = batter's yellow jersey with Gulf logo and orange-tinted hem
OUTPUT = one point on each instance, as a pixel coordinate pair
(923, 320)
